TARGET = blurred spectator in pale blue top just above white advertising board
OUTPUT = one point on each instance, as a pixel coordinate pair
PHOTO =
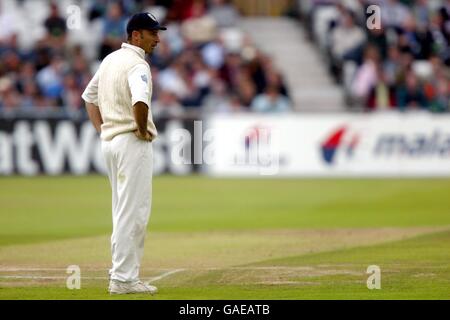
(271, 102)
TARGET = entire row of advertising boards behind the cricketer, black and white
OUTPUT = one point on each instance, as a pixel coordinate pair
(347, 145)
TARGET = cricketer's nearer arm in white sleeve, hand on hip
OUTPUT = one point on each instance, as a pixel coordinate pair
(138, 81)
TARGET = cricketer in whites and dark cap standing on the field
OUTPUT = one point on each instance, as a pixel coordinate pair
(118, 104)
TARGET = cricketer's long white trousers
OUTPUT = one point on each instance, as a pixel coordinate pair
(130, 166)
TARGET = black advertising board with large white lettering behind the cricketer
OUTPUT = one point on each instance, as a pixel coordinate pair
(33, 146)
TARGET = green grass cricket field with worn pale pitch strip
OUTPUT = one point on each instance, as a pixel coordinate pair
(233, 238)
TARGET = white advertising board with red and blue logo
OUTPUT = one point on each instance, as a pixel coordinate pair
(386, 144)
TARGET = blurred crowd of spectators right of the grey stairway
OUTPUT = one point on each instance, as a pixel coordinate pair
(403, 65)
